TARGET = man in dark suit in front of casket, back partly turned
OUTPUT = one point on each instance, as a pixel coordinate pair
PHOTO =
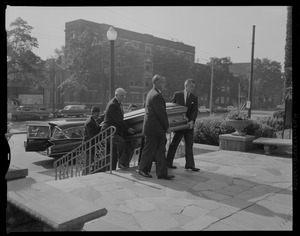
(155, 127)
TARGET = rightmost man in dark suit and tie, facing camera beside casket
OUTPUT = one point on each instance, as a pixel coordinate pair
(185, 98)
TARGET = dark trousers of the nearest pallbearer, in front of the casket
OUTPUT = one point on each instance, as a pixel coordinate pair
(154, 149)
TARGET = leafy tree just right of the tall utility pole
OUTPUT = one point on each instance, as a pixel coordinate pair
(268, 82)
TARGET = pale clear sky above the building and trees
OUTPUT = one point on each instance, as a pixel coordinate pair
(223, 31)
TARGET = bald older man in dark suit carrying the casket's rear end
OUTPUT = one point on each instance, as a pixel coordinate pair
(114, 116)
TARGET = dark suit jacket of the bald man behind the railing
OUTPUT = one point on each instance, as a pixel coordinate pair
(114, 116)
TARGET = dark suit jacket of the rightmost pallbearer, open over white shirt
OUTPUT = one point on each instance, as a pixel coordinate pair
(192, 104)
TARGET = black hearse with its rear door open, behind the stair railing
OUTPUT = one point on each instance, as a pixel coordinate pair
(55, 137)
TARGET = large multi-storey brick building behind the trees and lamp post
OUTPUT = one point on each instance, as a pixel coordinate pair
(146, 45)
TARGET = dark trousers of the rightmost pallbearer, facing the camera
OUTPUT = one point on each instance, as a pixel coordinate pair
(188, 135)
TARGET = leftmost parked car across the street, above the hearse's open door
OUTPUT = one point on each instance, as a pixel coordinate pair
(29, 113)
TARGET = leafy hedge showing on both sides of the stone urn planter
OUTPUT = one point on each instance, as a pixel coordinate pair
(208, 129)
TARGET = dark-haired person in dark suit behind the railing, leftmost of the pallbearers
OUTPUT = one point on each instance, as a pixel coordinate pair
(91, 129)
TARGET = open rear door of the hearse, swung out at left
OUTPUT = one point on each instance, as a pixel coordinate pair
(38, 136)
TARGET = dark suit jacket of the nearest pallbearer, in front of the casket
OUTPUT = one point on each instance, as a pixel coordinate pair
(155, 120)
